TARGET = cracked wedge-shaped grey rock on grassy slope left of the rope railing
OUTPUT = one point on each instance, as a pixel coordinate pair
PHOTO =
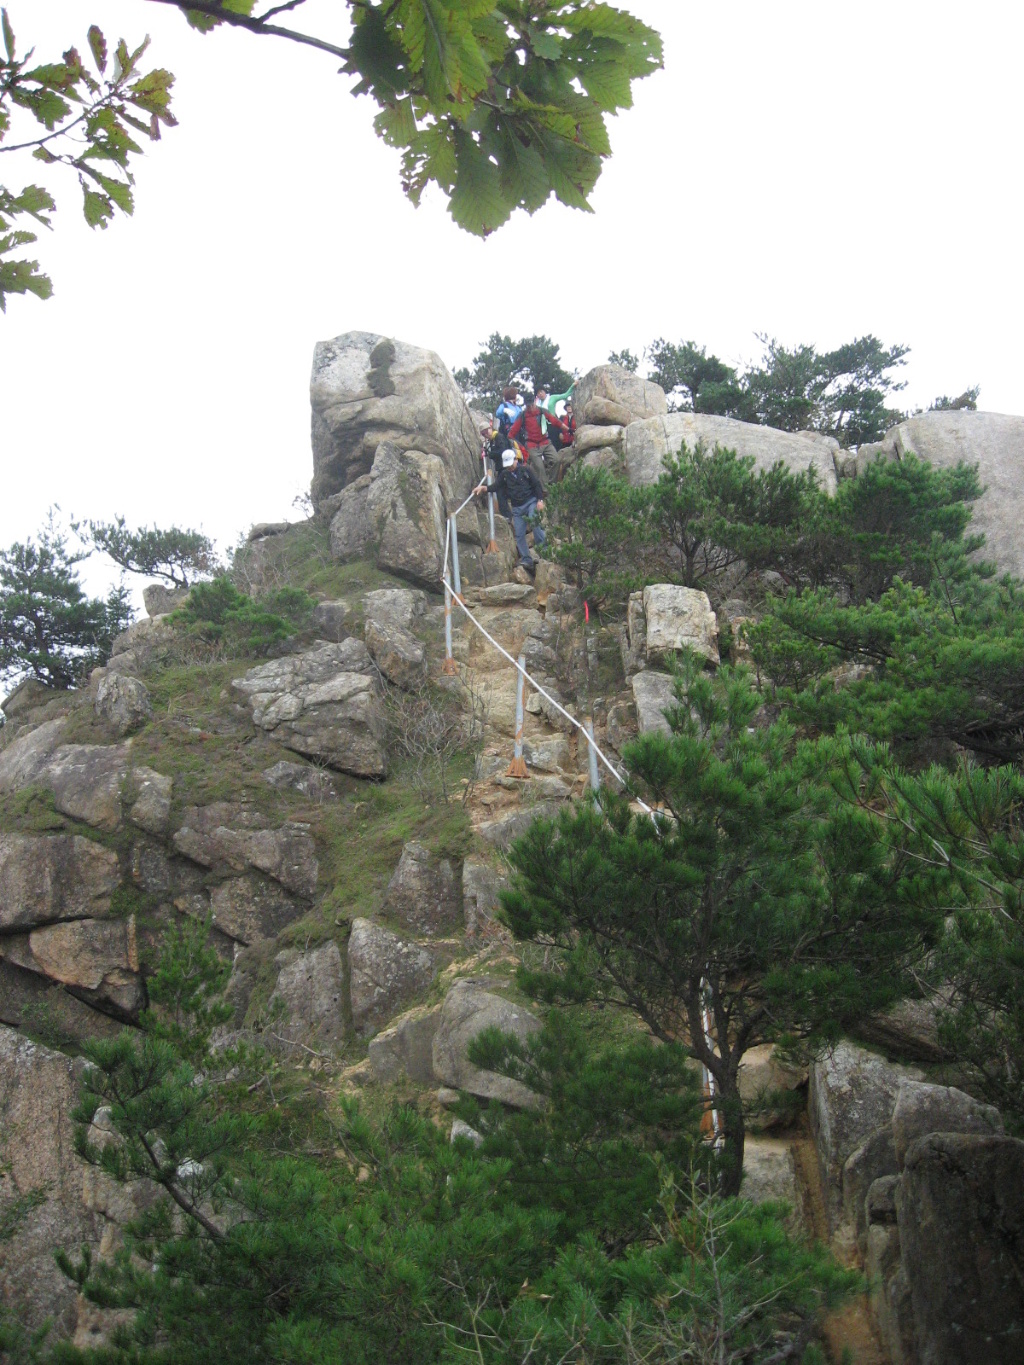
(322, 704)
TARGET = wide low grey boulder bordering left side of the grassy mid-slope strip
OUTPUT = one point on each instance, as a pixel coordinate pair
(227, 837)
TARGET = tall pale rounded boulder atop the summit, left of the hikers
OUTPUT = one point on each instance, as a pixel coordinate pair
(367, 390)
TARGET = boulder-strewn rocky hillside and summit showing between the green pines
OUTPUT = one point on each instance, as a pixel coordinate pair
(339, 811)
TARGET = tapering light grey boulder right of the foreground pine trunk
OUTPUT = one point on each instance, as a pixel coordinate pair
(853, 1094)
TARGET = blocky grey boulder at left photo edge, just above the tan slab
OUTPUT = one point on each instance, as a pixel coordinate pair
(53, 878)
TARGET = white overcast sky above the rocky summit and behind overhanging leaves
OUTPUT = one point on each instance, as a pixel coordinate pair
(814, 171)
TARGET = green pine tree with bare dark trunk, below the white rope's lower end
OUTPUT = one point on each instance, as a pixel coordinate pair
(750, 908)
